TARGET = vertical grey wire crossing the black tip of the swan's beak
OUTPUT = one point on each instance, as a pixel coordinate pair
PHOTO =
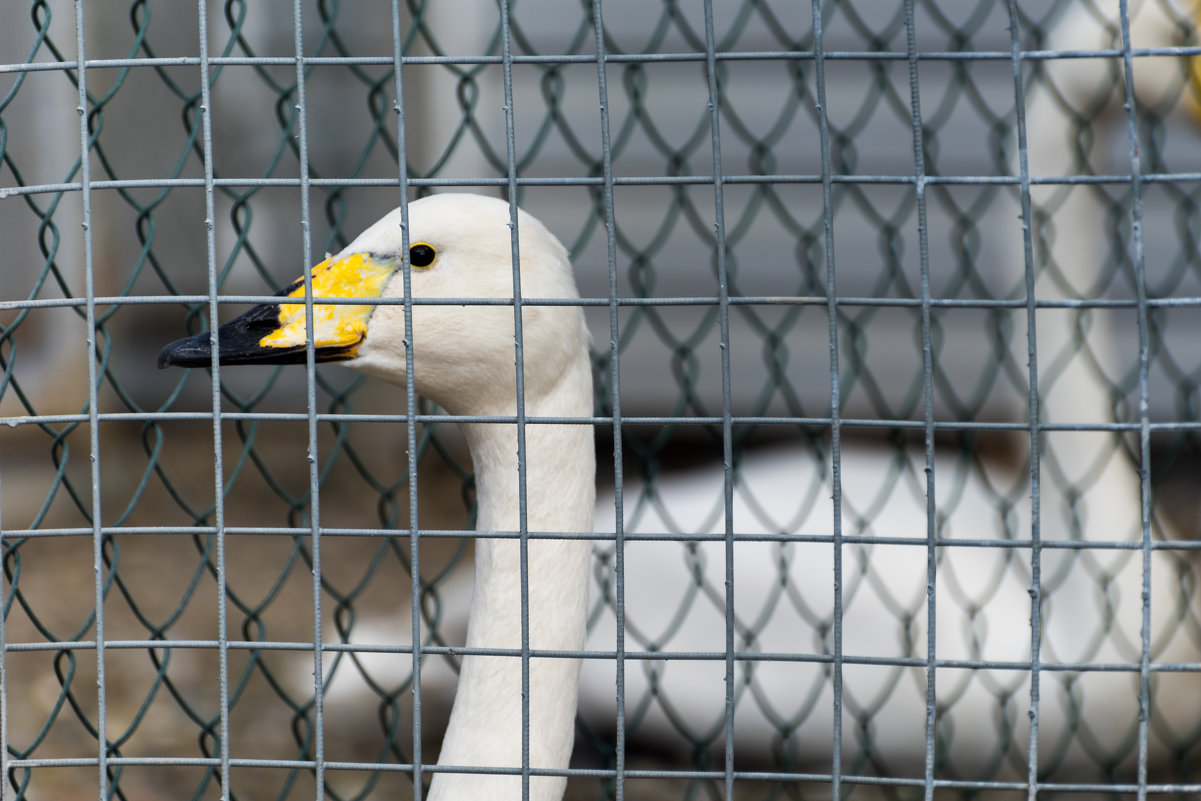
(216, 399)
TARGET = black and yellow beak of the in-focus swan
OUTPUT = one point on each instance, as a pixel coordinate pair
(274, 333)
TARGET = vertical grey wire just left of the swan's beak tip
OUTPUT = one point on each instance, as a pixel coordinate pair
(98, 529)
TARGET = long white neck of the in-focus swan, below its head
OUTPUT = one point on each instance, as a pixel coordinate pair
(486, 727)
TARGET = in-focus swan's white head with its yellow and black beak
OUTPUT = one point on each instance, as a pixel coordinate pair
(461, 247)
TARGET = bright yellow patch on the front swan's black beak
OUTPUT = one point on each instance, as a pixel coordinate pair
(342, 326)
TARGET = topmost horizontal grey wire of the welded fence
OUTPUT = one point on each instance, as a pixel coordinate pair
(607, 58)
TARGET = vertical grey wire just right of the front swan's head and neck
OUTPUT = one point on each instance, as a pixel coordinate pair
(616, 403)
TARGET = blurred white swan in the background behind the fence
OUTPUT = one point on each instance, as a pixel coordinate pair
(674, 593)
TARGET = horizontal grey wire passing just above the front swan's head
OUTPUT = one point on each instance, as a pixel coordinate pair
(900, 180)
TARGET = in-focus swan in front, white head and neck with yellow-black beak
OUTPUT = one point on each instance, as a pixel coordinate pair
(464, 361)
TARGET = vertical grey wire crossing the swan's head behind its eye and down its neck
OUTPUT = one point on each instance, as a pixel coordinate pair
(523, 524)
